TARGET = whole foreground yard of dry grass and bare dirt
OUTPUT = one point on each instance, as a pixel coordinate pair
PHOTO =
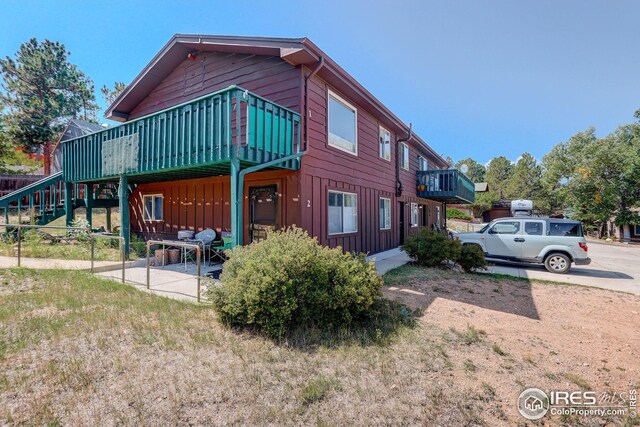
(78, 350)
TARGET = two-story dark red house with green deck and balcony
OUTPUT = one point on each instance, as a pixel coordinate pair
(248, 134)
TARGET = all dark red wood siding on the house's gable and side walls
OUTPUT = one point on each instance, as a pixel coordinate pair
(202, 203)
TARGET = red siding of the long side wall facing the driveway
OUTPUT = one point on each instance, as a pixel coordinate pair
(326, 168)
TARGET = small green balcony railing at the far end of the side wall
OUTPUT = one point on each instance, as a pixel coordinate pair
(448, 185)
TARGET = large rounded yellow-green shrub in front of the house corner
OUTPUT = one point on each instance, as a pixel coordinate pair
(288, 280)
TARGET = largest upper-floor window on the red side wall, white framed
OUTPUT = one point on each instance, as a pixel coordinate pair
(343, 124)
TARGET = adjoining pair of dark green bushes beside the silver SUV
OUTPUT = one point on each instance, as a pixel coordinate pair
(433, 248)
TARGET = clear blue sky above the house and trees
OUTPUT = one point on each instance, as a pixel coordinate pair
(476, 78)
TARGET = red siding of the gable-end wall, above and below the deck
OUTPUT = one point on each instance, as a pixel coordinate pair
(201, 203)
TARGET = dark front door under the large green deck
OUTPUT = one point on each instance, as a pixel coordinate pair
(264, 211)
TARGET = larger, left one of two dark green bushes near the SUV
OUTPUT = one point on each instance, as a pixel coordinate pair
(431, 248)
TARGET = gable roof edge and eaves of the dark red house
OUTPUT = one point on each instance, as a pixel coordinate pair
(295, 51)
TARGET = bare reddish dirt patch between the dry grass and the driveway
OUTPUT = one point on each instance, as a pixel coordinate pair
(549, 336)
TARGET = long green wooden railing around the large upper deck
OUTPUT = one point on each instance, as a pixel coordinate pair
(196, 134)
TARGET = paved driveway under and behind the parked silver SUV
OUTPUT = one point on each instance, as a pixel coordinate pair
(613, 267)
